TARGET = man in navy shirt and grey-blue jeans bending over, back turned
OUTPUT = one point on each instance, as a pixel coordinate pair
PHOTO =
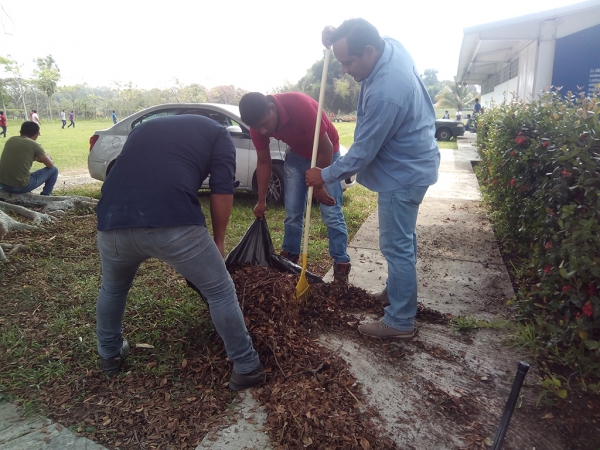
(171, 227)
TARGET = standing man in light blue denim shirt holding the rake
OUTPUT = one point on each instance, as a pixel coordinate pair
(394, 153)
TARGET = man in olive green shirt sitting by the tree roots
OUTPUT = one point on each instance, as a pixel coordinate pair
(17, 158)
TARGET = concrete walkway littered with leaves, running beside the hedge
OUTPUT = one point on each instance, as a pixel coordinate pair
(460, 272)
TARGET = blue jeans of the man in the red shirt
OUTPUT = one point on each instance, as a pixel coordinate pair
(295, 192)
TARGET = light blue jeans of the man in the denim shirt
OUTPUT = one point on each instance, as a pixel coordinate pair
(398, 211)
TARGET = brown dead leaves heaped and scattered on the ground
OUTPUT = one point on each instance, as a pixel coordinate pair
(310, 396)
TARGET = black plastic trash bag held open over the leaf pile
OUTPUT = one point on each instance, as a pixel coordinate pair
(255, 248)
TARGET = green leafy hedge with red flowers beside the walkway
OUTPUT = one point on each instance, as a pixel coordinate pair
(540, 174)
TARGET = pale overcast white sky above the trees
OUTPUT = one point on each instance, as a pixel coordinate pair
(256, 45)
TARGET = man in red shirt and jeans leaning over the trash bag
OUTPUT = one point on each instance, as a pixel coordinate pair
(291, 117)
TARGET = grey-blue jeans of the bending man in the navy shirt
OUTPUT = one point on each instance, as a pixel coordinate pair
(191, 251)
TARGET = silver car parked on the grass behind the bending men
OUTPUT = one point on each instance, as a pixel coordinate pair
(106, 145)
